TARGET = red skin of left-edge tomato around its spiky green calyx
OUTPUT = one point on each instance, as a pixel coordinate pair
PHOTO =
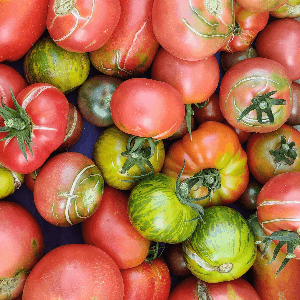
(48, 109)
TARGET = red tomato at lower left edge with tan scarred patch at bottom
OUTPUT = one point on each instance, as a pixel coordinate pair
(21, 246)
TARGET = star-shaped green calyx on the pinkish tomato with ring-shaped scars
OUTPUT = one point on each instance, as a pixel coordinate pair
(262, 103)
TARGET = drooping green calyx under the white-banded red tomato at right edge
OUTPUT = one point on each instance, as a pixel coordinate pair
(290, 238)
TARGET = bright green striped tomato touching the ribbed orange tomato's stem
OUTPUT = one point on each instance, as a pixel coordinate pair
(157, 213)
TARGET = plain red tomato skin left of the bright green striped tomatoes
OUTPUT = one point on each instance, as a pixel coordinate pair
(109, 229)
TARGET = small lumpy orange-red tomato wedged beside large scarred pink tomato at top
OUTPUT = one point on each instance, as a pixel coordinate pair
(247, 26)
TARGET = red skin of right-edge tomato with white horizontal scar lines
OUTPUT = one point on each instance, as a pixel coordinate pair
(278, 205)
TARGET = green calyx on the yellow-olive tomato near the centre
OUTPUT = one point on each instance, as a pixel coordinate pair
(138, 154)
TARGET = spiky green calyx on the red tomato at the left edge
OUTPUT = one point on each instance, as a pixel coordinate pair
(18, 124)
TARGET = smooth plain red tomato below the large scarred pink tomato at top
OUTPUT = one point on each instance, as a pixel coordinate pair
(195, 80)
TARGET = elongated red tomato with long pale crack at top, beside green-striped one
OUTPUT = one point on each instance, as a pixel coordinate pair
(132, 47)
